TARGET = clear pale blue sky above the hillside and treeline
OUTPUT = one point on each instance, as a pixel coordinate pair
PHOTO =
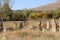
(22, 4)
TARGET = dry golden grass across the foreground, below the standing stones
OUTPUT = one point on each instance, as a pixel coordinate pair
(31, 35)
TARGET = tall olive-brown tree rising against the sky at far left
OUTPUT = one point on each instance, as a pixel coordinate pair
(6, 9)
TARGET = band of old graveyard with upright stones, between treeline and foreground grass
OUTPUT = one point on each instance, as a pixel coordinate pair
(52, 25)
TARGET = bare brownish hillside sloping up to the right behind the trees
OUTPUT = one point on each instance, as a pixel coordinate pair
(52, 6)
